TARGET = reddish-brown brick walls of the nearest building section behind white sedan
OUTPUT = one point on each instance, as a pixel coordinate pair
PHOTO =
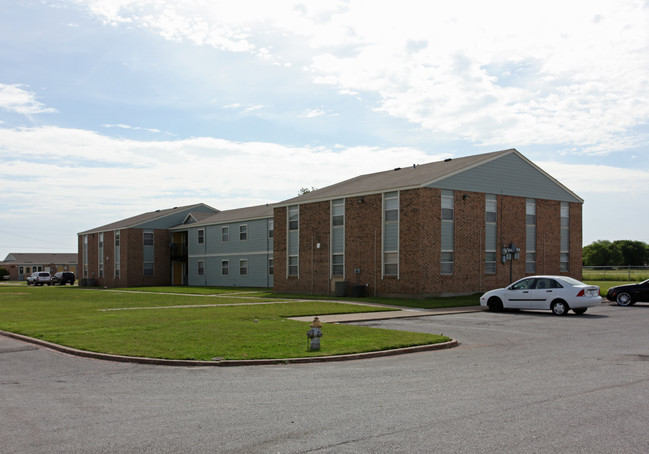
(420, 244)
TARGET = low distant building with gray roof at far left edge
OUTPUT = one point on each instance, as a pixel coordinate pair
(22, 265)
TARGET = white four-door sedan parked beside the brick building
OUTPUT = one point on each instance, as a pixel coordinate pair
(556, 293)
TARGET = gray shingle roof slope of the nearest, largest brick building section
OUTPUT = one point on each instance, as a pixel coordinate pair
(399, 178)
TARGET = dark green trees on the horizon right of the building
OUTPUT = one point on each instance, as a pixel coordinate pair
(616, 253)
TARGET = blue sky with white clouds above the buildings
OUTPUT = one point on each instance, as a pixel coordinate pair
(112, 108)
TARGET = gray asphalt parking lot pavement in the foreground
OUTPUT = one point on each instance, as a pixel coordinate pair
(518, 382)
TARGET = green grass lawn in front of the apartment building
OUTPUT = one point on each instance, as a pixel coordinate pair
(225, 326)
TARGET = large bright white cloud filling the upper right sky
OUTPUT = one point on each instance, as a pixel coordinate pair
(494, 73)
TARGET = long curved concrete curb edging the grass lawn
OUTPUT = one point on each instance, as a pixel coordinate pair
(228, 363)
